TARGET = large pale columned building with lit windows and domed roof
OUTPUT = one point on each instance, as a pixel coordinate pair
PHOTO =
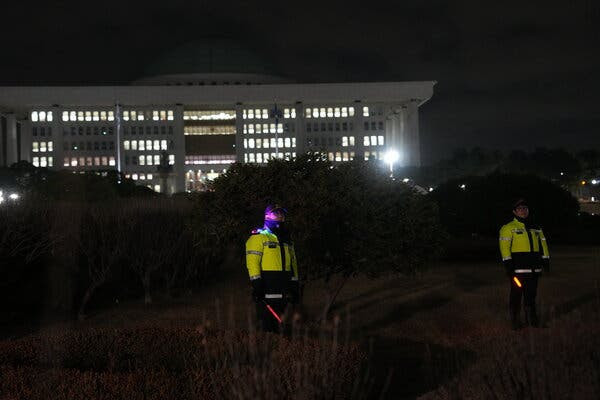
(202, 108)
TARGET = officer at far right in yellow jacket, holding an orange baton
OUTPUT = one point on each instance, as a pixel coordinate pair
(524, 252)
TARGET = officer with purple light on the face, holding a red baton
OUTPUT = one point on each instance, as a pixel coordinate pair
(272, 267)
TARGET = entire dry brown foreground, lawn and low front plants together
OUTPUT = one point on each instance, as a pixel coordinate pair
(441, 335)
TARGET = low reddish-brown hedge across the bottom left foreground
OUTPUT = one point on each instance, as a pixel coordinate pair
(183, 364)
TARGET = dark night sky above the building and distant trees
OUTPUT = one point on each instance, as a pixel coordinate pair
(510, 74)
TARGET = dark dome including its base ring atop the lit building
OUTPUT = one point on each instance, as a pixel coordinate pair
(215, 62)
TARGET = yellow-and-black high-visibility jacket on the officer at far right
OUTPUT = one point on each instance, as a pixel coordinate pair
(526, 247)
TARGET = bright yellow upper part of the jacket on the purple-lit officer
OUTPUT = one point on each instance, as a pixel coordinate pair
(264, 254)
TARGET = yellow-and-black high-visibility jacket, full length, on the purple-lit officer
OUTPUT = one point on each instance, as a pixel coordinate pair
(271, 260)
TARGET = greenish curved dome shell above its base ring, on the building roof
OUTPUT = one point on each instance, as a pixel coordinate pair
(209, 57)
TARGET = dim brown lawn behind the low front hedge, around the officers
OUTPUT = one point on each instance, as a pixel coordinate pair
(420, 331)
